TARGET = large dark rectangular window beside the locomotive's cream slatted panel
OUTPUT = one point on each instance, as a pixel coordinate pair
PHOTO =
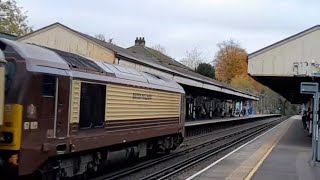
(92, 105)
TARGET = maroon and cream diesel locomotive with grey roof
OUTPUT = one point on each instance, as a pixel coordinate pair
(63, 114)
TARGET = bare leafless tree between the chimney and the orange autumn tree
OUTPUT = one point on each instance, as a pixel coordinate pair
(193, 58)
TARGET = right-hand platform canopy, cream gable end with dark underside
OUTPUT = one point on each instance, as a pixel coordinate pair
(282, 66)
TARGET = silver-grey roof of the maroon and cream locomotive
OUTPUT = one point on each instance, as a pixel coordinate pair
(53, 61)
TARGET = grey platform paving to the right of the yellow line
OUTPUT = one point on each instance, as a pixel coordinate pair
(290, 159)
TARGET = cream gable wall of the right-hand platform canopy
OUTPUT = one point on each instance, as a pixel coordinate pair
(288, 58)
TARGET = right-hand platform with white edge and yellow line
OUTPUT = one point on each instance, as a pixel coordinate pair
(283, 152)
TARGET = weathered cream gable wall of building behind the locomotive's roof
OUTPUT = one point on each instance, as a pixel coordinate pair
(63, 39)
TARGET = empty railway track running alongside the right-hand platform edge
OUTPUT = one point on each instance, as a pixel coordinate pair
(164, 173)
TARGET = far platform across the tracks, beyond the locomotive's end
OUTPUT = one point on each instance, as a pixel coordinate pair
(212, 121)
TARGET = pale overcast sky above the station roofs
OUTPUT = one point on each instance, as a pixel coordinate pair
(180, 25)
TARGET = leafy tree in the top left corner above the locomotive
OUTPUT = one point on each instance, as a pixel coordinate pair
(13, 20)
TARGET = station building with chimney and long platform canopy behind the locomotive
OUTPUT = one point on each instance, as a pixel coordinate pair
(203, 94)
